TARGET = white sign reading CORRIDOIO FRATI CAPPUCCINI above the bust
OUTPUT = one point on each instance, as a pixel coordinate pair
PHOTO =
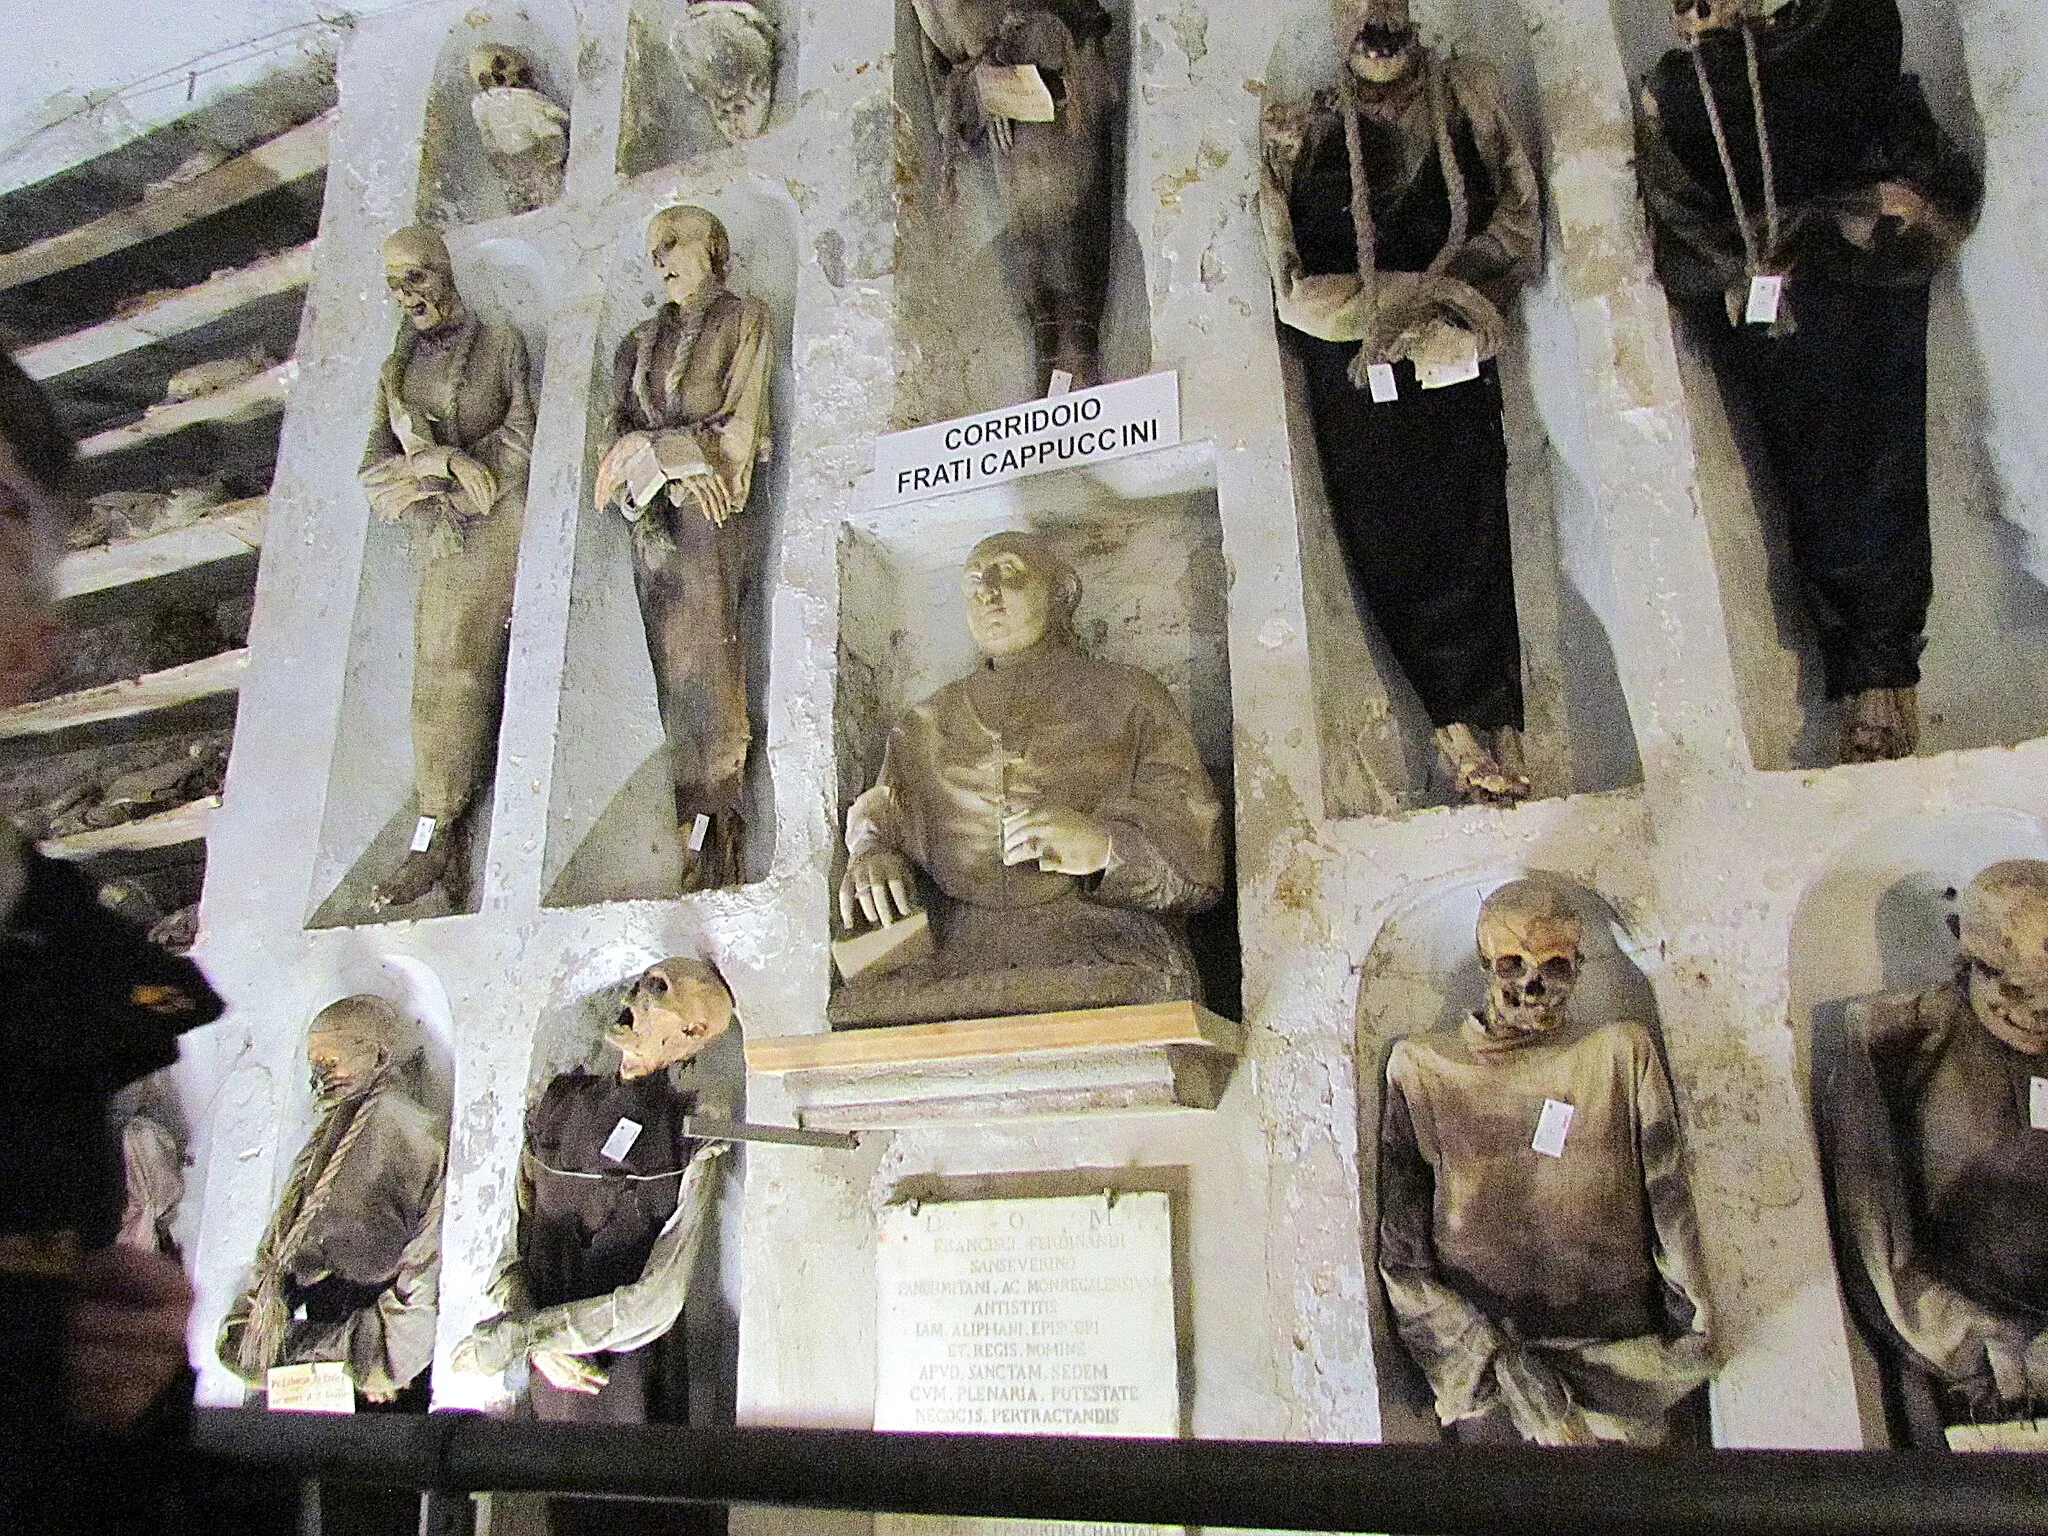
(1086, 427)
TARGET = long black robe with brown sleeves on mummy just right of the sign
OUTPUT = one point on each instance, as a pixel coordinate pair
(1418, 486)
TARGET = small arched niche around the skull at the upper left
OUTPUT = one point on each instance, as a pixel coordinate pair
(458, 183)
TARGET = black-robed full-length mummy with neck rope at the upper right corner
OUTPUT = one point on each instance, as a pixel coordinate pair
(1844, 187)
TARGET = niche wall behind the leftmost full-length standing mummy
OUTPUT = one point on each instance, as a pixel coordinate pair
(372, 810)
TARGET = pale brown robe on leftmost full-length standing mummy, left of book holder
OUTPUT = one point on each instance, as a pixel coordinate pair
(462, 390)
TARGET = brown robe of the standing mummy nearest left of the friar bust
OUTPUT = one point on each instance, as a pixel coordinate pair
(703, 374)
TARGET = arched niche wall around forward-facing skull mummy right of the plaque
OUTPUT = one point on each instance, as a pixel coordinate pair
(1424, 976)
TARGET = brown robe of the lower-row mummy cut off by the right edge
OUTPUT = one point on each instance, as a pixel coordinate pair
(1943, 1191)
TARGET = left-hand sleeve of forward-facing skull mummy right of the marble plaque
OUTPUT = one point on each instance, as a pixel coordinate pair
(1451, 1338)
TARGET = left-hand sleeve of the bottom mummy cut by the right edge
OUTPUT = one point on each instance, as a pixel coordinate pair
(1943, 1328)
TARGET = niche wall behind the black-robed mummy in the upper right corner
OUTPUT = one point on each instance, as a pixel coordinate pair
(1986, 669)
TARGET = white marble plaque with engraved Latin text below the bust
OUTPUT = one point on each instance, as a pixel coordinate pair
(1029, 1318)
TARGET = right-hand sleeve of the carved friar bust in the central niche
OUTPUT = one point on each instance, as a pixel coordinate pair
(1166, 828)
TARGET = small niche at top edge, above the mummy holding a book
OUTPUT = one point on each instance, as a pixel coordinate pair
(679, 48)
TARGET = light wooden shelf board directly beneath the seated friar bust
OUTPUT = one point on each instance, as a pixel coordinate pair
(1089, 1029)
